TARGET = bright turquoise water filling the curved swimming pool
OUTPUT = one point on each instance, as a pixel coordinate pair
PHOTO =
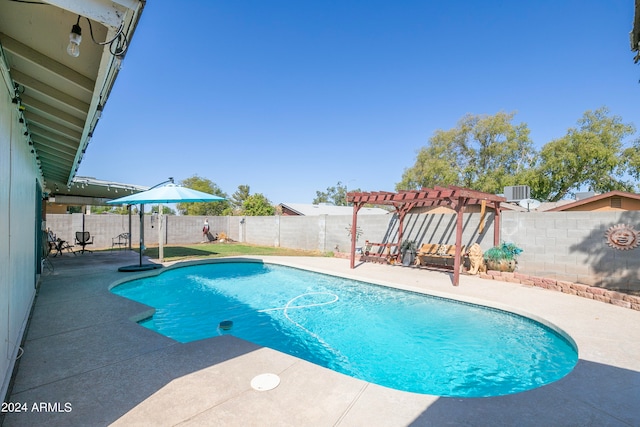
(394, 338)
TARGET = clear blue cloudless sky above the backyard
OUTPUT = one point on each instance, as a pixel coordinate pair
(290, 97)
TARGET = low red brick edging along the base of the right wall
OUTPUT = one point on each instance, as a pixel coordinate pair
(599, 294)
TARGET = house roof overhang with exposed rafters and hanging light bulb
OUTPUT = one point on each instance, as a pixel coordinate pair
(59, 98)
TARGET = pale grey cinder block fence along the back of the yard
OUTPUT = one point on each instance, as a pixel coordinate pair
(565, 247)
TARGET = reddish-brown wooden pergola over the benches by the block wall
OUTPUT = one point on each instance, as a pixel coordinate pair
(455, 197)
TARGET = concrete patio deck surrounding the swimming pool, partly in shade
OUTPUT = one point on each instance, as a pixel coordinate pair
(86, 363)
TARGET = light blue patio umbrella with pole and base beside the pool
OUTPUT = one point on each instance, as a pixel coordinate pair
(170, 193)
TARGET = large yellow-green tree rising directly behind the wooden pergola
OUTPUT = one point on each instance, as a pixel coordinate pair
(482, 152)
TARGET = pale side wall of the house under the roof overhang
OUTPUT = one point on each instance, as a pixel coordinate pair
(18, 243)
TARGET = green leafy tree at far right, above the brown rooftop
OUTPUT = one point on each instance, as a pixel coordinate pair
(592, 155)
